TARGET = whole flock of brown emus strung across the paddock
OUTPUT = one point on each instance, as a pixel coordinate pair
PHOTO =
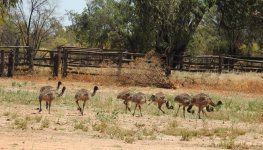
(201, 101)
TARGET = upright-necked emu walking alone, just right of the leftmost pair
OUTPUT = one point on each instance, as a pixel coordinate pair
(84, 95)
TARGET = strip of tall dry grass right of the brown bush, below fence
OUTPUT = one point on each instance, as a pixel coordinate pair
(225, 81)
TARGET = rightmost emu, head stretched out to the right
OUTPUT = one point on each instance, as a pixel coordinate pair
(202, 101)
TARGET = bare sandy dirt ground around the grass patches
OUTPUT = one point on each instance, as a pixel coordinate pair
(63, 136)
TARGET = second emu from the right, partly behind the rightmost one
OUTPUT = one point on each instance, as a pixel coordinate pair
(183, 100)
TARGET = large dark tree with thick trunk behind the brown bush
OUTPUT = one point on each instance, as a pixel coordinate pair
(174, 23)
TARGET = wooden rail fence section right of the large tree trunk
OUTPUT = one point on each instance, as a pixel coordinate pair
(218, 63)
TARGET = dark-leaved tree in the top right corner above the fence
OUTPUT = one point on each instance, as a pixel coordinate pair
(240, 23)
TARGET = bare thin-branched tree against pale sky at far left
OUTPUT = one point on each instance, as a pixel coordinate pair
(36, 25)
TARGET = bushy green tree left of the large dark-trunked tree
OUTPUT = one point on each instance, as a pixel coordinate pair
(105, 24)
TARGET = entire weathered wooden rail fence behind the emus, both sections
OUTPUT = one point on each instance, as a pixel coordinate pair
(64, 60)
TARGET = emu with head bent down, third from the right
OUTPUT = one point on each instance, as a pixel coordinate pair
(160, 99)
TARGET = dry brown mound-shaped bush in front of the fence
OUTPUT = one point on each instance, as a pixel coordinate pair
(147, 71)
